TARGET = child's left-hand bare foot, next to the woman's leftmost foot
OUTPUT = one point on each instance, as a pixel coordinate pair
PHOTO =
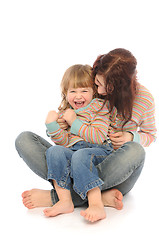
(59, 208)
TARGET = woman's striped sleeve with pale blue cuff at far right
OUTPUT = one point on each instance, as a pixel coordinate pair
(147, 129)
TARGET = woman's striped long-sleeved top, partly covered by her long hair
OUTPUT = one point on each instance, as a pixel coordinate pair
(142, 124)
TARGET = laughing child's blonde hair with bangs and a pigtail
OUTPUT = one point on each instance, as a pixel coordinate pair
(76, 76)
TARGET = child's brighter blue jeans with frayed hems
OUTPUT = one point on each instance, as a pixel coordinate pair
(78, 163)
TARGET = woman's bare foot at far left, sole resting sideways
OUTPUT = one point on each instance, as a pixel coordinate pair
(37, 198)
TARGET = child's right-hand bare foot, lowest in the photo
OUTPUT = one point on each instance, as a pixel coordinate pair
(94, 213)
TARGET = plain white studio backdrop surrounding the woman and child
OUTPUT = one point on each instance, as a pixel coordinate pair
(39, 40)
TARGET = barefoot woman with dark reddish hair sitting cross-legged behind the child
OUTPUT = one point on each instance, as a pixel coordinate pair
(132, 127)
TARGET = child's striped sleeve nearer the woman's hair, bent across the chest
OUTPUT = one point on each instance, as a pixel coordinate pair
(94, 132)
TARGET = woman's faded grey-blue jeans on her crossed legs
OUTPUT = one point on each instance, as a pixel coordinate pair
(119, 170)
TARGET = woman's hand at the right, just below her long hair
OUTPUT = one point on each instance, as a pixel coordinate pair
(119, 138)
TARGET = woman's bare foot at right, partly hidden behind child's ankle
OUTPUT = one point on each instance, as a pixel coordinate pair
(112, 198)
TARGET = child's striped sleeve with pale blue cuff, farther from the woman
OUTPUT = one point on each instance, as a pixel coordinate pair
(57, 134)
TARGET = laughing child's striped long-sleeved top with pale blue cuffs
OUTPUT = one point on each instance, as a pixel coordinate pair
(91, 125)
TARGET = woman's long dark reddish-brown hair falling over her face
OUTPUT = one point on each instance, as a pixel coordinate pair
(118, 67)
